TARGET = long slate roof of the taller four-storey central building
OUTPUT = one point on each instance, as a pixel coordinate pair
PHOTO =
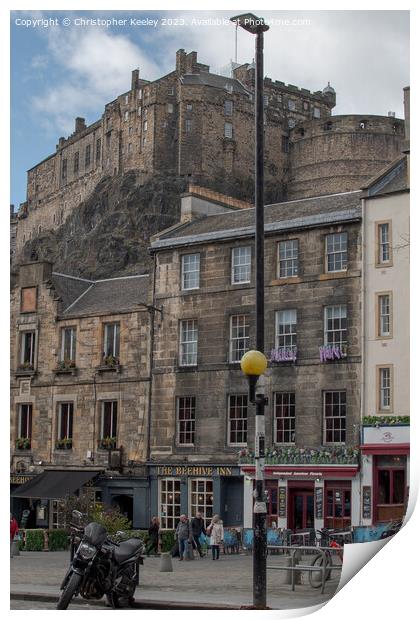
(294, 214)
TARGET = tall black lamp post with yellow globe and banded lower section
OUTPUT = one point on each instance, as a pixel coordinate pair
(255, 25)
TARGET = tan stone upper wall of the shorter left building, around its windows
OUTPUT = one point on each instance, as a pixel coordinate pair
(86, 383)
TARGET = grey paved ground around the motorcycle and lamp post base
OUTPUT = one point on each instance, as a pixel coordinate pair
(199, 584)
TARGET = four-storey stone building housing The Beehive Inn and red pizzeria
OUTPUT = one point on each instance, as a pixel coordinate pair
(201, 421)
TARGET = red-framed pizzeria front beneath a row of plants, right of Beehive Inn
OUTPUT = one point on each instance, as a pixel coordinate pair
(303, 497)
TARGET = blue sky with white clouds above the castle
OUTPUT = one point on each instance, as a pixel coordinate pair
(63, 65)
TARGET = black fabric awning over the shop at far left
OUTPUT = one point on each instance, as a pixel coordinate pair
(56, 484)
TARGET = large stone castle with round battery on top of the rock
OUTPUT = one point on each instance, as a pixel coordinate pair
(197, 124)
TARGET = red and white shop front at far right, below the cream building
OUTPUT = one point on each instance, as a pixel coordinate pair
(385, 472)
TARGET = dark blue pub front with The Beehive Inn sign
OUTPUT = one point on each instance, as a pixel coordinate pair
(177, 489)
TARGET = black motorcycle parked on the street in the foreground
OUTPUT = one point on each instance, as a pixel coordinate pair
(100, 566)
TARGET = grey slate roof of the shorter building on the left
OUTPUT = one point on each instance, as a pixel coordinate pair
(114, 295)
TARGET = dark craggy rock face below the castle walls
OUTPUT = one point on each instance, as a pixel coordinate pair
(108, 234)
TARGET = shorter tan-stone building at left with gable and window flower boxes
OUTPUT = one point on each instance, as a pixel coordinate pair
(80, 360)
